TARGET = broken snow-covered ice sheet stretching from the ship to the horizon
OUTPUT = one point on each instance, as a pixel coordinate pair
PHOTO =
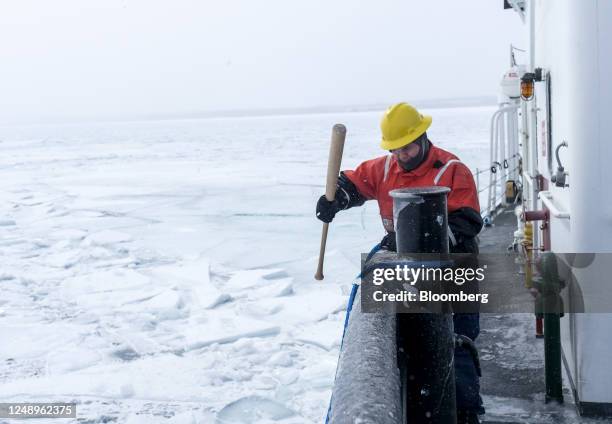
(162, 271)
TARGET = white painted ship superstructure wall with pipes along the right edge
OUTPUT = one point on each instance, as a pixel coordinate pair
(564, 136)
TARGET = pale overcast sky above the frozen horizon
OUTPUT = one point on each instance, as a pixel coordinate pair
(121, 58)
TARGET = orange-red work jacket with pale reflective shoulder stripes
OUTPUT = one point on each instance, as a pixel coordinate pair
(376, 177)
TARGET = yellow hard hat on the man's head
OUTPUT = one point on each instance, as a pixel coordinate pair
(401, 125)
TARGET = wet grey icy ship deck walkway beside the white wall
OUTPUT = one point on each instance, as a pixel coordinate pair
(512, 358)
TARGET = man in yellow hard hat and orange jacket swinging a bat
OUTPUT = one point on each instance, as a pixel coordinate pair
(415, 162)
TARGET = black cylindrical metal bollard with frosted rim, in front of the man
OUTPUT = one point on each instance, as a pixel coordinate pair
(425, 341)
